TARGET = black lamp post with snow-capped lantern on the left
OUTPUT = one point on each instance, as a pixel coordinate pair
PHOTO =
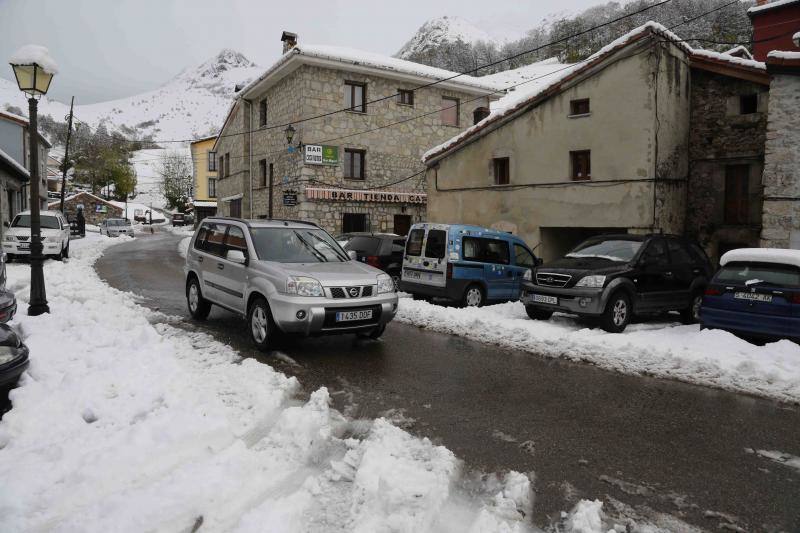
(34, 69)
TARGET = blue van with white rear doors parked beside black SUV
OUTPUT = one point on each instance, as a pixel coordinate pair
(466, 264)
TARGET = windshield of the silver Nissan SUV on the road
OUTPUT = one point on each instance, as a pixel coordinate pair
(296, 245)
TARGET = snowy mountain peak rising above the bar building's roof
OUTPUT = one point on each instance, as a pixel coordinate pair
(447, 29)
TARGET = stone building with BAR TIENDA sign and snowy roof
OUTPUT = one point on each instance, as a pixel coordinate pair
(356, 168)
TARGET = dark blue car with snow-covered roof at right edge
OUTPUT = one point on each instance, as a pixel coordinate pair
(755, 293)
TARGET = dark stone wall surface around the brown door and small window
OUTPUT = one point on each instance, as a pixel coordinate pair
(720, 136)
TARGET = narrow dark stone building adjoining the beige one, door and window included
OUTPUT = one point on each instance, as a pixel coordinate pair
(728, 125)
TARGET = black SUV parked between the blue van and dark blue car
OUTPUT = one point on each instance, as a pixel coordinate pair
(614, 277)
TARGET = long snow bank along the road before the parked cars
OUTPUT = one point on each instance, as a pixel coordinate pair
(710, 357)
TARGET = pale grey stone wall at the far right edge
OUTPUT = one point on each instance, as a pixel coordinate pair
(781, 221)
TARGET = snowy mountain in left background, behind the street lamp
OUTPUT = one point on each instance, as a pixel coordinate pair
(190, 105)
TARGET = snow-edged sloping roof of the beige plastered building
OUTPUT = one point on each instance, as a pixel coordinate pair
(551, 83)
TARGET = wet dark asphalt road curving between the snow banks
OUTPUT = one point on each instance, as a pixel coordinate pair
(655, 445)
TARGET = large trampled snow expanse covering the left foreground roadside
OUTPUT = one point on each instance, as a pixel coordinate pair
(121, 425)
